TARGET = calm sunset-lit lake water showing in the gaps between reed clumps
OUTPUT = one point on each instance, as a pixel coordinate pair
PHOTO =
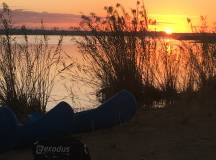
(166, 61)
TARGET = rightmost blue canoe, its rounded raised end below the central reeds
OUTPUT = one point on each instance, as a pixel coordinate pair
(118, 109)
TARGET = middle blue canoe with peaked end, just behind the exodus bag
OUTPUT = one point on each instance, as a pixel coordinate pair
(55, 123)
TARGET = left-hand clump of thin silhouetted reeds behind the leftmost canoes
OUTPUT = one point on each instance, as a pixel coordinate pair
(27, 71)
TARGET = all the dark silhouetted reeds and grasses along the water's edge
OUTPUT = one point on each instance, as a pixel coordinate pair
(154, 69)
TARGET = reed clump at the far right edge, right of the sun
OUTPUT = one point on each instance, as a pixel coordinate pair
(201, 60)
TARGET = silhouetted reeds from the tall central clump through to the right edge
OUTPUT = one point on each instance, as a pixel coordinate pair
(154, 70)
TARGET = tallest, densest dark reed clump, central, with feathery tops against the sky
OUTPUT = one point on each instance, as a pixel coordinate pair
(118, 60)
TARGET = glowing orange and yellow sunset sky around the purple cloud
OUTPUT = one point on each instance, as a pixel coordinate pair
(169, 13)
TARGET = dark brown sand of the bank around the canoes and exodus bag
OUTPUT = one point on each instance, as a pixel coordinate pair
(163, 134)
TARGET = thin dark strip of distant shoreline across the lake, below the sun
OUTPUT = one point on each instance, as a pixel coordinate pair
(176, 36)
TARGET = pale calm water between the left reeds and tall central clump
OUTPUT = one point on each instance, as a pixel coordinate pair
(83, 94)
